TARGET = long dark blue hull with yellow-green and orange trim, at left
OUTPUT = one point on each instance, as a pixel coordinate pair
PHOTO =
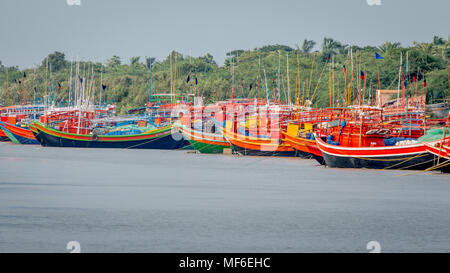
(161, 138)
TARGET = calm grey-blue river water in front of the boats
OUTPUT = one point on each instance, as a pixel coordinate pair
(178, 201)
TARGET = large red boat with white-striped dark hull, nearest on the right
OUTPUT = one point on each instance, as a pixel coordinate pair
(364, 142)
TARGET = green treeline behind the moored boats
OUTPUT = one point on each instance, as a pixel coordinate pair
(297, 71)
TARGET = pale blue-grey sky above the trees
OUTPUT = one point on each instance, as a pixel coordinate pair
(98, 29)
